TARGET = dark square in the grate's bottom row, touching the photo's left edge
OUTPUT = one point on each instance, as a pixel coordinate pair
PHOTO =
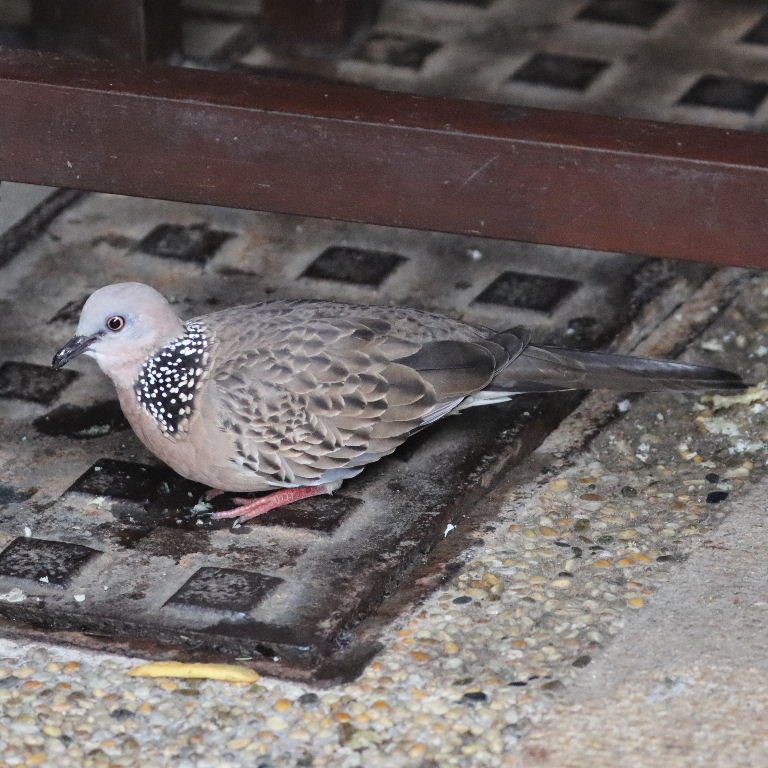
(55, 561)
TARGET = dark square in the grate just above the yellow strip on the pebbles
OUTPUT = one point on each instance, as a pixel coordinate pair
(225, 589)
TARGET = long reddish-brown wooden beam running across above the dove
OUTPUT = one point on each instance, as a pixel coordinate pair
(401, 160)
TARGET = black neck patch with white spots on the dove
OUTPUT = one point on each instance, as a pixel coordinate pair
(169, 380)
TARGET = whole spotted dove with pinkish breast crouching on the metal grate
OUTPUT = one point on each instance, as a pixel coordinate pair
(302, 395)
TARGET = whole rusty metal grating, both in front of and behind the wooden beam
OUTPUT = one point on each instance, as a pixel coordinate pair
(97, 538)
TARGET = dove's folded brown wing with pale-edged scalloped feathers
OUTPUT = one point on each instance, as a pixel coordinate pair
(306, 389)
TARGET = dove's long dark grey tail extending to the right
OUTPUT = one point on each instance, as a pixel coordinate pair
(551, 369)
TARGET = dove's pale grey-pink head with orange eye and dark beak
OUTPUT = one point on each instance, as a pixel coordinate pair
(120, 326)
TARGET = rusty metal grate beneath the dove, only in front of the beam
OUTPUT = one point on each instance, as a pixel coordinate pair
(111, 545)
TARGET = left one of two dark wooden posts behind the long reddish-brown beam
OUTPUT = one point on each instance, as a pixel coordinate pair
(120, 30)
